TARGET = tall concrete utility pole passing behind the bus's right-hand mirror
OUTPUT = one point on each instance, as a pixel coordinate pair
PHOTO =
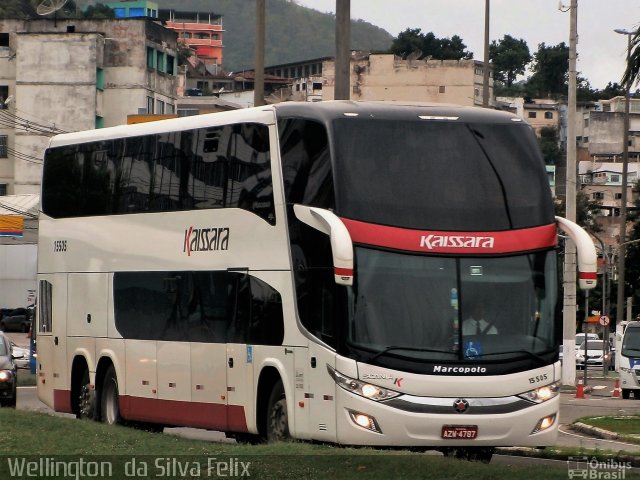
(569, 310)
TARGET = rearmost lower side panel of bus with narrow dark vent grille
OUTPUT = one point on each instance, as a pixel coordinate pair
(51, 363)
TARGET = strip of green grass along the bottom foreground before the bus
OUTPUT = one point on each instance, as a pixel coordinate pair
(28, 435)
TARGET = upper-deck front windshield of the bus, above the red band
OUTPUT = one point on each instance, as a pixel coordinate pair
(398, 173)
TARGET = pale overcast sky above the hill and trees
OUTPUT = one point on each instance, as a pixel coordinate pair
(601, 51)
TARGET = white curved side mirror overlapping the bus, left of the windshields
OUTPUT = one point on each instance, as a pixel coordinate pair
(341, 245)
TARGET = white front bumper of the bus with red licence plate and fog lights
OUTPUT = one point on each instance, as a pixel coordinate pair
(446, 422)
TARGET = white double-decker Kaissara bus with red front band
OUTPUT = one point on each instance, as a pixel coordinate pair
(307, 270)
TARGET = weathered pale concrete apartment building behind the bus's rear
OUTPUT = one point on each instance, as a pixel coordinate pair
(72, 74)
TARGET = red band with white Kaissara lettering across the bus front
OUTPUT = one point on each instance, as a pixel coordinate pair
(452, 242)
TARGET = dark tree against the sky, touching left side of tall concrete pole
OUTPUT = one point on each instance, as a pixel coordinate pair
(550, 68)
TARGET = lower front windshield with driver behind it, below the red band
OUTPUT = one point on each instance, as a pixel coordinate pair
(426, 308)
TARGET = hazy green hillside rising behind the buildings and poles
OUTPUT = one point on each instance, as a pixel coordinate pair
(293, 32)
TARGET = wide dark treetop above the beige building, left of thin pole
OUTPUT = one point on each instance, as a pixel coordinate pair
(428, 45)
